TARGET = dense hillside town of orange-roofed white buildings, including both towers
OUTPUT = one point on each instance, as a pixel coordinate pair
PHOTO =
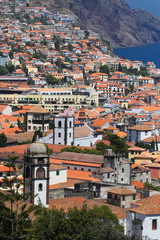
(98, 115)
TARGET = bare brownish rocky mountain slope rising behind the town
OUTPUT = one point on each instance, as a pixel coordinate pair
(113, 19)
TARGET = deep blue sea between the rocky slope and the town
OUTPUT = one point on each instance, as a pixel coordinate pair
(149, 53)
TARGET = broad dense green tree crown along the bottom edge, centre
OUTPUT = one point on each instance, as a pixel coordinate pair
(96, 224)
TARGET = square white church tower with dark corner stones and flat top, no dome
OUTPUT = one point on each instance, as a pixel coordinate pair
(63, 130)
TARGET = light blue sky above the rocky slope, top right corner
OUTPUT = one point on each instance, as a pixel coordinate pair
(149, 5)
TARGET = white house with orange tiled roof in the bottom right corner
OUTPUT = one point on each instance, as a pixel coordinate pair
(143, 219)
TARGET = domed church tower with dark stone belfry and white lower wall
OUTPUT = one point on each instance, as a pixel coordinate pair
(36, 174)
